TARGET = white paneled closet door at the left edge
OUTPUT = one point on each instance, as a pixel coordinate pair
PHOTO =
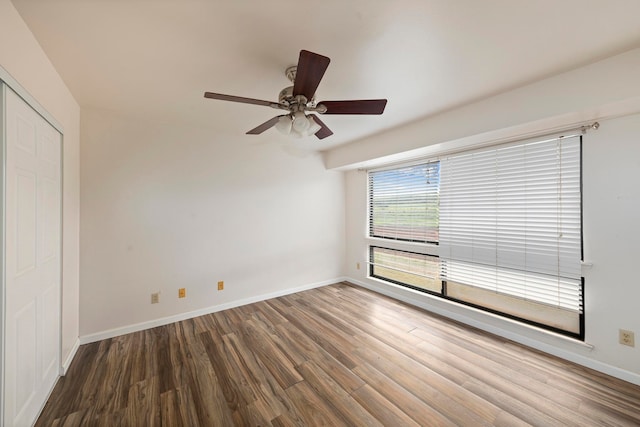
(32, 275)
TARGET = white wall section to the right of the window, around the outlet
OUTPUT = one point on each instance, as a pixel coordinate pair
(611, 210)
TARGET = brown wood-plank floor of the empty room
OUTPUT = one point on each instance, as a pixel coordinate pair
(336, 355)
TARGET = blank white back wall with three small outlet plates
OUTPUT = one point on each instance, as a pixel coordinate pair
(167, 206)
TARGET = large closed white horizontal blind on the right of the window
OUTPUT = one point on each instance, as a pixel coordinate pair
(510, 220)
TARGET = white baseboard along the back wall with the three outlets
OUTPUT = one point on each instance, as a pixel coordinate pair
(98, 336)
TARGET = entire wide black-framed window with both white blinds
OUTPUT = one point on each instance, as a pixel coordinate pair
(507, 222)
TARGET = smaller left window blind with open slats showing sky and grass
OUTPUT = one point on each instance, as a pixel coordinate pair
(403, 203)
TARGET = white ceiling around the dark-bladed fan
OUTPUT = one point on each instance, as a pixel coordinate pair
(154, 59)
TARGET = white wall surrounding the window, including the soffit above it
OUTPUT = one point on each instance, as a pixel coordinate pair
(611, 197)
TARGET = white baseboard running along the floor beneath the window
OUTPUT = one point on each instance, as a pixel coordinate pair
(563, 353)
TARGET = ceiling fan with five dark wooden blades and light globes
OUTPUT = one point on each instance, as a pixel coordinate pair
(299, 99)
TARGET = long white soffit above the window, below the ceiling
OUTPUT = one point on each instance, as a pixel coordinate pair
(603, 89)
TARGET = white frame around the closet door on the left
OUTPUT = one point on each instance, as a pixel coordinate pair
(7, 82)
